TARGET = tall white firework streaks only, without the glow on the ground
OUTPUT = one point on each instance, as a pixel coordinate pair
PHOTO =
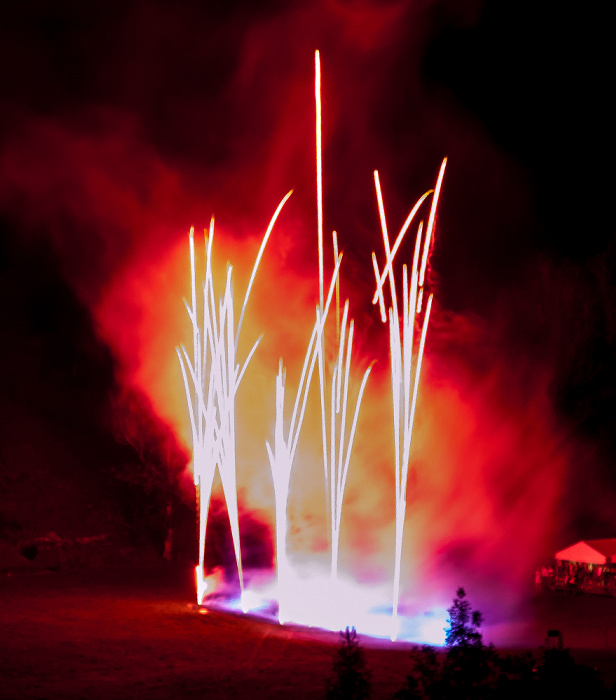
(213, 418)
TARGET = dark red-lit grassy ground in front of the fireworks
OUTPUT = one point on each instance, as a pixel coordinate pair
(134, 633)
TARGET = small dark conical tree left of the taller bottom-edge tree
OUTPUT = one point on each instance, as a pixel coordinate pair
(351, 676)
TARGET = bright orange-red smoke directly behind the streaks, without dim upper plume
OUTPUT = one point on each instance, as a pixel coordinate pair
(488, 461)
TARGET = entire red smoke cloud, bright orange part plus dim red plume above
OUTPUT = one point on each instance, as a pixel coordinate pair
(115, 200)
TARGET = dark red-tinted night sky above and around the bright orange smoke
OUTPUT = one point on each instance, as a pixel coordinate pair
(124, 123)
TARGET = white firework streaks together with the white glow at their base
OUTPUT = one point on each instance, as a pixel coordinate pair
(212, 377)
